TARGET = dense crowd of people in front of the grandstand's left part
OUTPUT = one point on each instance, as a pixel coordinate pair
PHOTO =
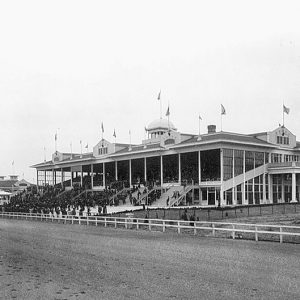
(60, 200)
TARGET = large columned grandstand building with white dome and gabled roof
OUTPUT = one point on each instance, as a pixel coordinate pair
(216, 168)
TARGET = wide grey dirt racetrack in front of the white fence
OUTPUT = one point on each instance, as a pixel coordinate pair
(56, 261)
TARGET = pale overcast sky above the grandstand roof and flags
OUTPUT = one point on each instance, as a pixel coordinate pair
(67, 66)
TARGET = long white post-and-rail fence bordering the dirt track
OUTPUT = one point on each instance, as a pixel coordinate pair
(235, 230)
